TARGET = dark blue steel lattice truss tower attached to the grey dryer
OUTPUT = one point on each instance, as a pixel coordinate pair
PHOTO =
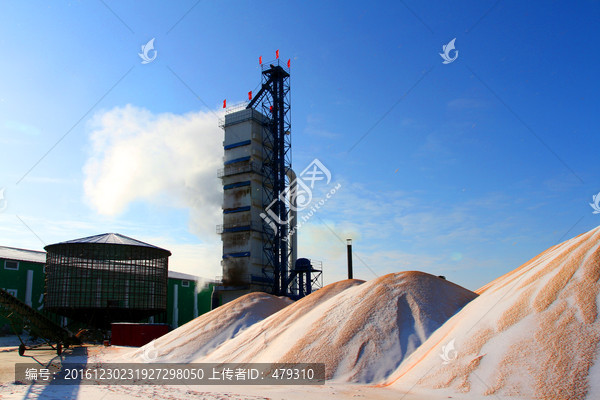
(273, 99)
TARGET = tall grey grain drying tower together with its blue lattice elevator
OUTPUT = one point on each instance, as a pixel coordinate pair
(259, 239)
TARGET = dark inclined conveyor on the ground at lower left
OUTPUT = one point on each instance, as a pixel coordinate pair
(38, 324)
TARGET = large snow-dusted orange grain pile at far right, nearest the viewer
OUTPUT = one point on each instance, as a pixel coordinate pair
(531, 333)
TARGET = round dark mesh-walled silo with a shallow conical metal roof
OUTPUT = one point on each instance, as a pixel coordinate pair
(106, 278)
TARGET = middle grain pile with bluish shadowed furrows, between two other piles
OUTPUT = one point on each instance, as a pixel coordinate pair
(361, 333)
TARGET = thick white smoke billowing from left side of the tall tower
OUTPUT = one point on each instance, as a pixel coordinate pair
(166, 158)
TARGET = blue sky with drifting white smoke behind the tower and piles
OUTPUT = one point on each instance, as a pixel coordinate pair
(465, 169)
